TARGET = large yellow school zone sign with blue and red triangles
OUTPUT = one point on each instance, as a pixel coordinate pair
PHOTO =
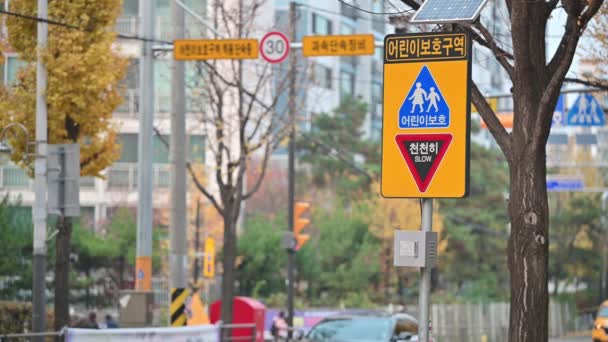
(426, 121)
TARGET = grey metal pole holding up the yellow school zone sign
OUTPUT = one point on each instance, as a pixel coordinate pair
(425, 276)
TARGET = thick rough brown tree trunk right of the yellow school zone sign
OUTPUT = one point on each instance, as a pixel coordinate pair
(528, 246)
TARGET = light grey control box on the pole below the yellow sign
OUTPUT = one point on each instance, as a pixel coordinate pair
(414, 248)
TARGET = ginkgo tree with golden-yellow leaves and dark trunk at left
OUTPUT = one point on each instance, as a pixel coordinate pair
(84, 71)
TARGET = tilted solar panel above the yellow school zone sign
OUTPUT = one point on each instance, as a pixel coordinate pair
(448, 11)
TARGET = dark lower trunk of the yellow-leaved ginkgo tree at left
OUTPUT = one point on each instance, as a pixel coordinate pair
(62, 272)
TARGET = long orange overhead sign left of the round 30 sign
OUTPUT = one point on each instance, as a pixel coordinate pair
(203, 49)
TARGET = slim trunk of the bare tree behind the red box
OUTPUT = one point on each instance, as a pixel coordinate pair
(228, 277)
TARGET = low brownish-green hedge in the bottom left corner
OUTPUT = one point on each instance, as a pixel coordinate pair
(16, 318)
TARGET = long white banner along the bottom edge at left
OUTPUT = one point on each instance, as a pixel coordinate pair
(201, 333)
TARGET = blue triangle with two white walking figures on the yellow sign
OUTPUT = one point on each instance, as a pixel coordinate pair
(424, 106)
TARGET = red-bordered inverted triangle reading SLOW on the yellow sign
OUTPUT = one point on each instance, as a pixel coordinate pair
(423, 153)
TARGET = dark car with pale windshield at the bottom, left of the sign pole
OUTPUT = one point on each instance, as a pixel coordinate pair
(375, 327)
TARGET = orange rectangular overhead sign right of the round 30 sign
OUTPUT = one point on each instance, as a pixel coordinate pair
(338, 45)
